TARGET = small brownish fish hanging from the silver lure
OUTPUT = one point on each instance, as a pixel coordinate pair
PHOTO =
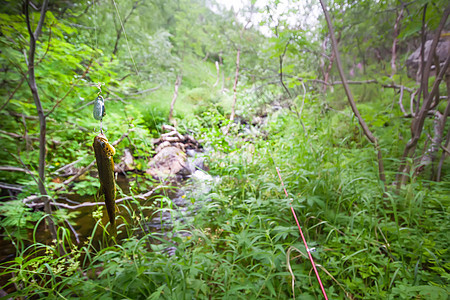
(104, 153)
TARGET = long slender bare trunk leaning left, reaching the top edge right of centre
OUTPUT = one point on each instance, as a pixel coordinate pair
(349, 94)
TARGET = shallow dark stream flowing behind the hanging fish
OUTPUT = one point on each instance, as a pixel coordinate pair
(175, 201)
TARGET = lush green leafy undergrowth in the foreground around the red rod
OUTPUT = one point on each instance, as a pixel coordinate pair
(243, 240)
